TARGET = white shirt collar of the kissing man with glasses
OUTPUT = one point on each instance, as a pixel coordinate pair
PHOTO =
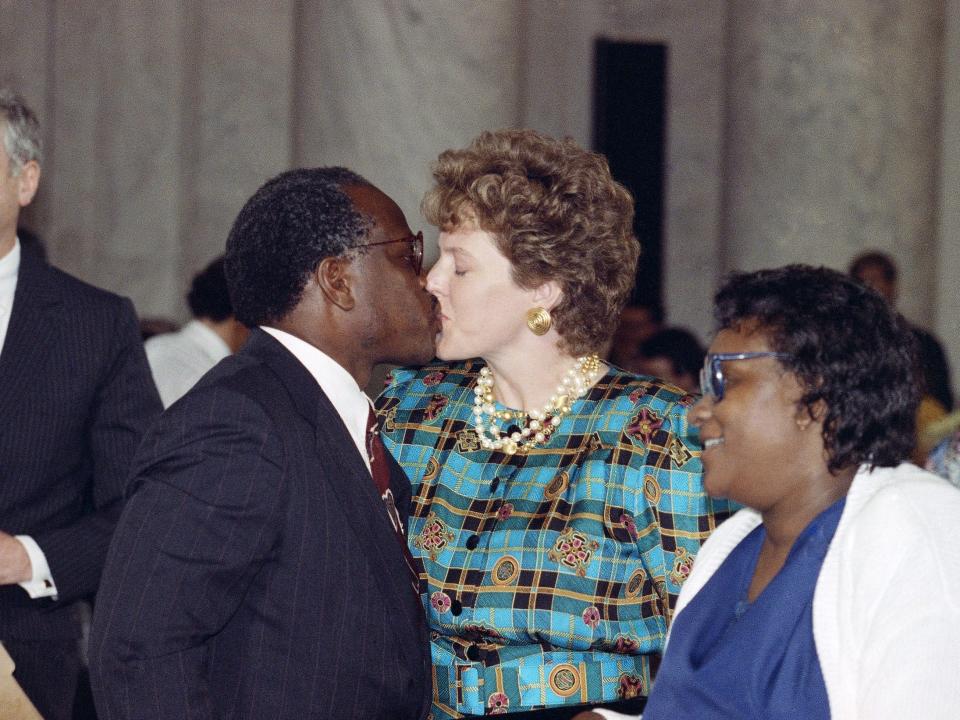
(350, 402)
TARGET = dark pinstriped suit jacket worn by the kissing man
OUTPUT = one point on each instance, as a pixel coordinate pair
(254, 572)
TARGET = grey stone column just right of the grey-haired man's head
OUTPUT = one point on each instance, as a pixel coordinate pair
(113, 175)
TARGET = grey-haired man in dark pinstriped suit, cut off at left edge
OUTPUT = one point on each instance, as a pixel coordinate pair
(75, 397)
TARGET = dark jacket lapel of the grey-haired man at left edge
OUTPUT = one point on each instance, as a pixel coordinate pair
(31, 329)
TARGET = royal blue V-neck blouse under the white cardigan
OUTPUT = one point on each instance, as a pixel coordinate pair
(728, 658)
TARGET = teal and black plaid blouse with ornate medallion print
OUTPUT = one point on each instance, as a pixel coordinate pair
(548, 577)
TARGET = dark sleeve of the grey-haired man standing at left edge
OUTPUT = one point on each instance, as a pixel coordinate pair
(126, 402)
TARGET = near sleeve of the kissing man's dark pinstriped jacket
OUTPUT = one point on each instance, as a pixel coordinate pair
(202, 520)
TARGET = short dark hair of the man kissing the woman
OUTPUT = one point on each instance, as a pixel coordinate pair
(281, 235)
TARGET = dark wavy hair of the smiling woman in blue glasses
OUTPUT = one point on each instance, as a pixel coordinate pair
(847, 348)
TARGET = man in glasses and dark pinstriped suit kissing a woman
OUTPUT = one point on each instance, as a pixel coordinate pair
(259, 569)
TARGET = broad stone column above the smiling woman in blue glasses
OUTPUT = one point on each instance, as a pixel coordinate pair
(832, 138)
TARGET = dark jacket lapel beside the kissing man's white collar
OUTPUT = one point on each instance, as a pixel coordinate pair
(348, 477)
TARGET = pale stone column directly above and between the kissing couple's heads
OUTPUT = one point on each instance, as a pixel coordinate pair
(383, 87)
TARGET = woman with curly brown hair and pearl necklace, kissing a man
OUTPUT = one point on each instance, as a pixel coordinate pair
(558, 501)
